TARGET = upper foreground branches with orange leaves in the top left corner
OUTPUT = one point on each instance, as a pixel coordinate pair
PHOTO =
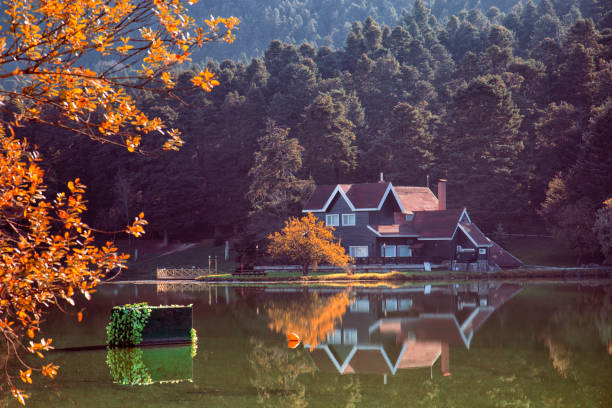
(46, 42)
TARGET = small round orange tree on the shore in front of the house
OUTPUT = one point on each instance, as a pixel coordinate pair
(307, 241)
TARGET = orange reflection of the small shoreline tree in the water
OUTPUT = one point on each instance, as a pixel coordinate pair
(313, 319)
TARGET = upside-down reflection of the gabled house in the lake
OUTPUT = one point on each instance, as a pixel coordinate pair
(385, 331)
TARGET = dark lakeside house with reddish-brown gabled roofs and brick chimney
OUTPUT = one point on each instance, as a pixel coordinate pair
(380, 222)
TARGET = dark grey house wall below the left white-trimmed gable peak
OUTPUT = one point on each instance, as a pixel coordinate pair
(357, 235)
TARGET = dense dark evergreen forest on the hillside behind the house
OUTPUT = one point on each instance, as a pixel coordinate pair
(511, 102)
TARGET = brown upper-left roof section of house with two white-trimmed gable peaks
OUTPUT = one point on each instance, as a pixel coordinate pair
(359, 197)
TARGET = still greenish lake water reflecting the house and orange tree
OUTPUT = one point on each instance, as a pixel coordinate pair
(461, 345)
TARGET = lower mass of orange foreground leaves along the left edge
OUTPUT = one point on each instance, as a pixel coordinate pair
(47, 254)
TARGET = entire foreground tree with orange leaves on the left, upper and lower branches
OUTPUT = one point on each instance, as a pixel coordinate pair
(47, 251)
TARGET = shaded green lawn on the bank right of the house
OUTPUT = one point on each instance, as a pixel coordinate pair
(541, 251)
